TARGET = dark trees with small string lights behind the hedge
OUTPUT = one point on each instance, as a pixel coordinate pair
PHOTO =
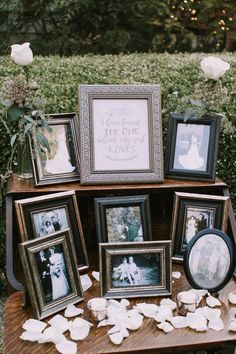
(69, 27)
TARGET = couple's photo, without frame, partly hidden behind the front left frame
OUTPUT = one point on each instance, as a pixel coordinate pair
(49, 221)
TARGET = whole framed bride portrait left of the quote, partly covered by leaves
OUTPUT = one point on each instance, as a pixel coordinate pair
(59, 163)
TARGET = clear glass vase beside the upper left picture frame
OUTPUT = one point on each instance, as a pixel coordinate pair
(24, 163)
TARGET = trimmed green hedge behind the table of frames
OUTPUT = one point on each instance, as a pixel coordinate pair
(59, 78)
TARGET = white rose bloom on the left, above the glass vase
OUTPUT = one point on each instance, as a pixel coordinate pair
(21, 54)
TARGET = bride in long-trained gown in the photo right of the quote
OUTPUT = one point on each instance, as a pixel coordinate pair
(192, 160)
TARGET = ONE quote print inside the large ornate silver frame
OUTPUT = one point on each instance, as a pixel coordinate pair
(121, 134)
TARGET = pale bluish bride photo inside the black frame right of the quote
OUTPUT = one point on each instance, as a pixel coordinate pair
(192, 142)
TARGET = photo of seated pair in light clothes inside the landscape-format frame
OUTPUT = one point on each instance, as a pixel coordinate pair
(136, 270)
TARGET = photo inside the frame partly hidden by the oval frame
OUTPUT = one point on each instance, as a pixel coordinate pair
(197, 219)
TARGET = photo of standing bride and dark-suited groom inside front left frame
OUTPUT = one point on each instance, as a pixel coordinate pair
(53, 273)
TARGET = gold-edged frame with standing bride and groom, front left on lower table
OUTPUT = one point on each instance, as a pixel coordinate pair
(51, 274)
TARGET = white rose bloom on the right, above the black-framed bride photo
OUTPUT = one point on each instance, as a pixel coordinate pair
(213, 67)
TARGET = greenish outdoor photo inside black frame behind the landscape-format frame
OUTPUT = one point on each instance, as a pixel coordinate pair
(124, 224)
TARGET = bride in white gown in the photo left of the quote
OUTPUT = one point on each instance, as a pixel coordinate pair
(60, 162)
